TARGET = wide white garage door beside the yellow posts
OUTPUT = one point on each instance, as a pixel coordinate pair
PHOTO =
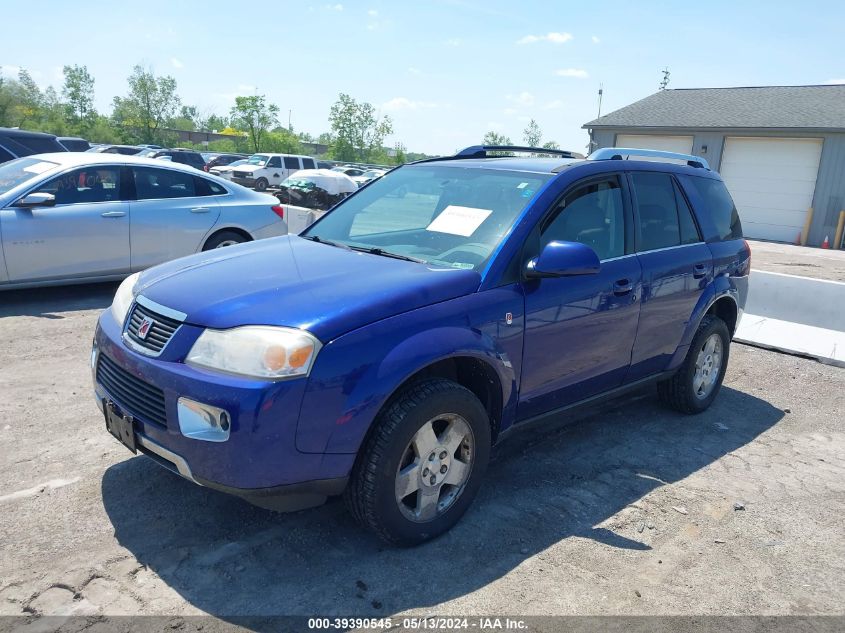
(772, 181)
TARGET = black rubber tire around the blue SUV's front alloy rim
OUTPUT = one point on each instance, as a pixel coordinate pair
(370, 495)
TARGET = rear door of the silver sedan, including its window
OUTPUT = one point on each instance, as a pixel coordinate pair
(171, 215)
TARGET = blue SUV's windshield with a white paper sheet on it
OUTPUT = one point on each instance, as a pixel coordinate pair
(443, 215)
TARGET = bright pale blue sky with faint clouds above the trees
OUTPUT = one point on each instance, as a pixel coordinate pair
(445, 71)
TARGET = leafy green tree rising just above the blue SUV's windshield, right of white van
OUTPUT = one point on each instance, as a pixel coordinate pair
(358, 133)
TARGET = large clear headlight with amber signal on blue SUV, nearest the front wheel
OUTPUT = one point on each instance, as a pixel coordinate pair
(256, 350)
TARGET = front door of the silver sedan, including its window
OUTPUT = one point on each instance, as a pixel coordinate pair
(85, 234)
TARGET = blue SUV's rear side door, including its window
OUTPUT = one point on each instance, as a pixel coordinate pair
(677, 266)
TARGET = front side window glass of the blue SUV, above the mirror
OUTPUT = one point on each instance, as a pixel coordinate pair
(592, 214)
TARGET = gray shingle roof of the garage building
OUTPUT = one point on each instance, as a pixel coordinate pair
(820, 107)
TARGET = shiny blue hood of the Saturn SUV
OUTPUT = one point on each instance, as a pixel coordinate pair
(290, 281)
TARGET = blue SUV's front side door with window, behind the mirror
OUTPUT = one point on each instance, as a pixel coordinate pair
(579, 330)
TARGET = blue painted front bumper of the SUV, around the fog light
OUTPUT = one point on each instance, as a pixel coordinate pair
(259, 461)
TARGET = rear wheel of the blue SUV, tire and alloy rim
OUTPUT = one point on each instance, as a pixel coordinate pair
(698, 380)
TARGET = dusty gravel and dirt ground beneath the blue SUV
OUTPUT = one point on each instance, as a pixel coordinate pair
(631, 510)
